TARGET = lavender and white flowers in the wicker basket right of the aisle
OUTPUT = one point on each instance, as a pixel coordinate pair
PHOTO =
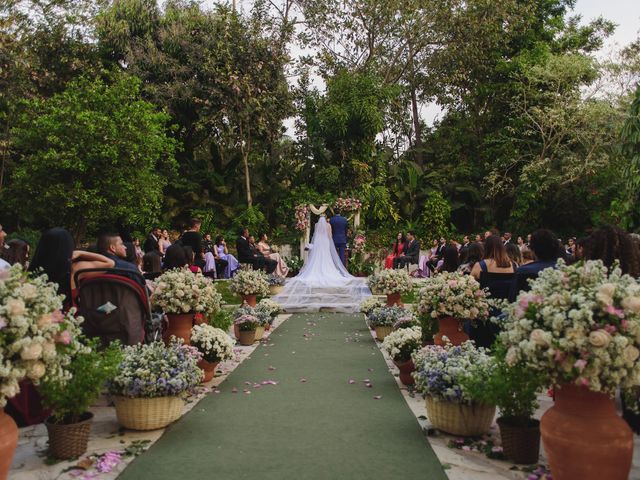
(441, 371)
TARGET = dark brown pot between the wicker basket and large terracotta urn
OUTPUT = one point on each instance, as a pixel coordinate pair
(520, 443)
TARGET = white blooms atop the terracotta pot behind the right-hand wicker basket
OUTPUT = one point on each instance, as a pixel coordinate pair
(453, 295)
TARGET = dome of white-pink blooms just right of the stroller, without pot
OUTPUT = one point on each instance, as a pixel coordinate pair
(182, 291)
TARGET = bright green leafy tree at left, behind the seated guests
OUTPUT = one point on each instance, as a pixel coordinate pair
(91, 156)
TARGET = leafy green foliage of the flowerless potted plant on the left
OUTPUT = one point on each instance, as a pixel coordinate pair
(90, 371)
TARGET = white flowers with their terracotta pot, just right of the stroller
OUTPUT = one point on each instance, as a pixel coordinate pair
(182, 294)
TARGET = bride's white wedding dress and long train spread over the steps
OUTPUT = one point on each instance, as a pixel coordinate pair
(323, 282)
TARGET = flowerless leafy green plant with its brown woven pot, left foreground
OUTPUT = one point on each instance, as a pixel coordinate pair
(70, 424)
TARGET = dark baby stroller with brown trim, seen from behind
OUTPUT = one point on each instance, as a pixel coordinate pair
(115, 306)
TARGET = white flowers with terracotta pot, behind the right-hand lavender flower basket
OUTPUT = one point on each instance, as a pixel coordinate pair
(451, 298)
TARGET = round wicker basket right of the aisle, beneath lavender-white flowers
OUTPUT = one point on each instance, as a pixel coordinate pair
(459, 419)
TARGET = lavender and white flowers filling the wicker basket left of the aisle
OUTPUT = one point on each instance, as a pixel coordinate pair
(156, 370)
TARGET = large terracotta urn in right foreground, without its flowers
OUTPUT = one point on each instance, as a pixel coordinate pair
(584, 437)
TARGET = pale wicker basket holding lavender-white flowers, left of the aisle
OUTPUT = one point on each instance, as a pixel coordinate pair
(147, 413)
